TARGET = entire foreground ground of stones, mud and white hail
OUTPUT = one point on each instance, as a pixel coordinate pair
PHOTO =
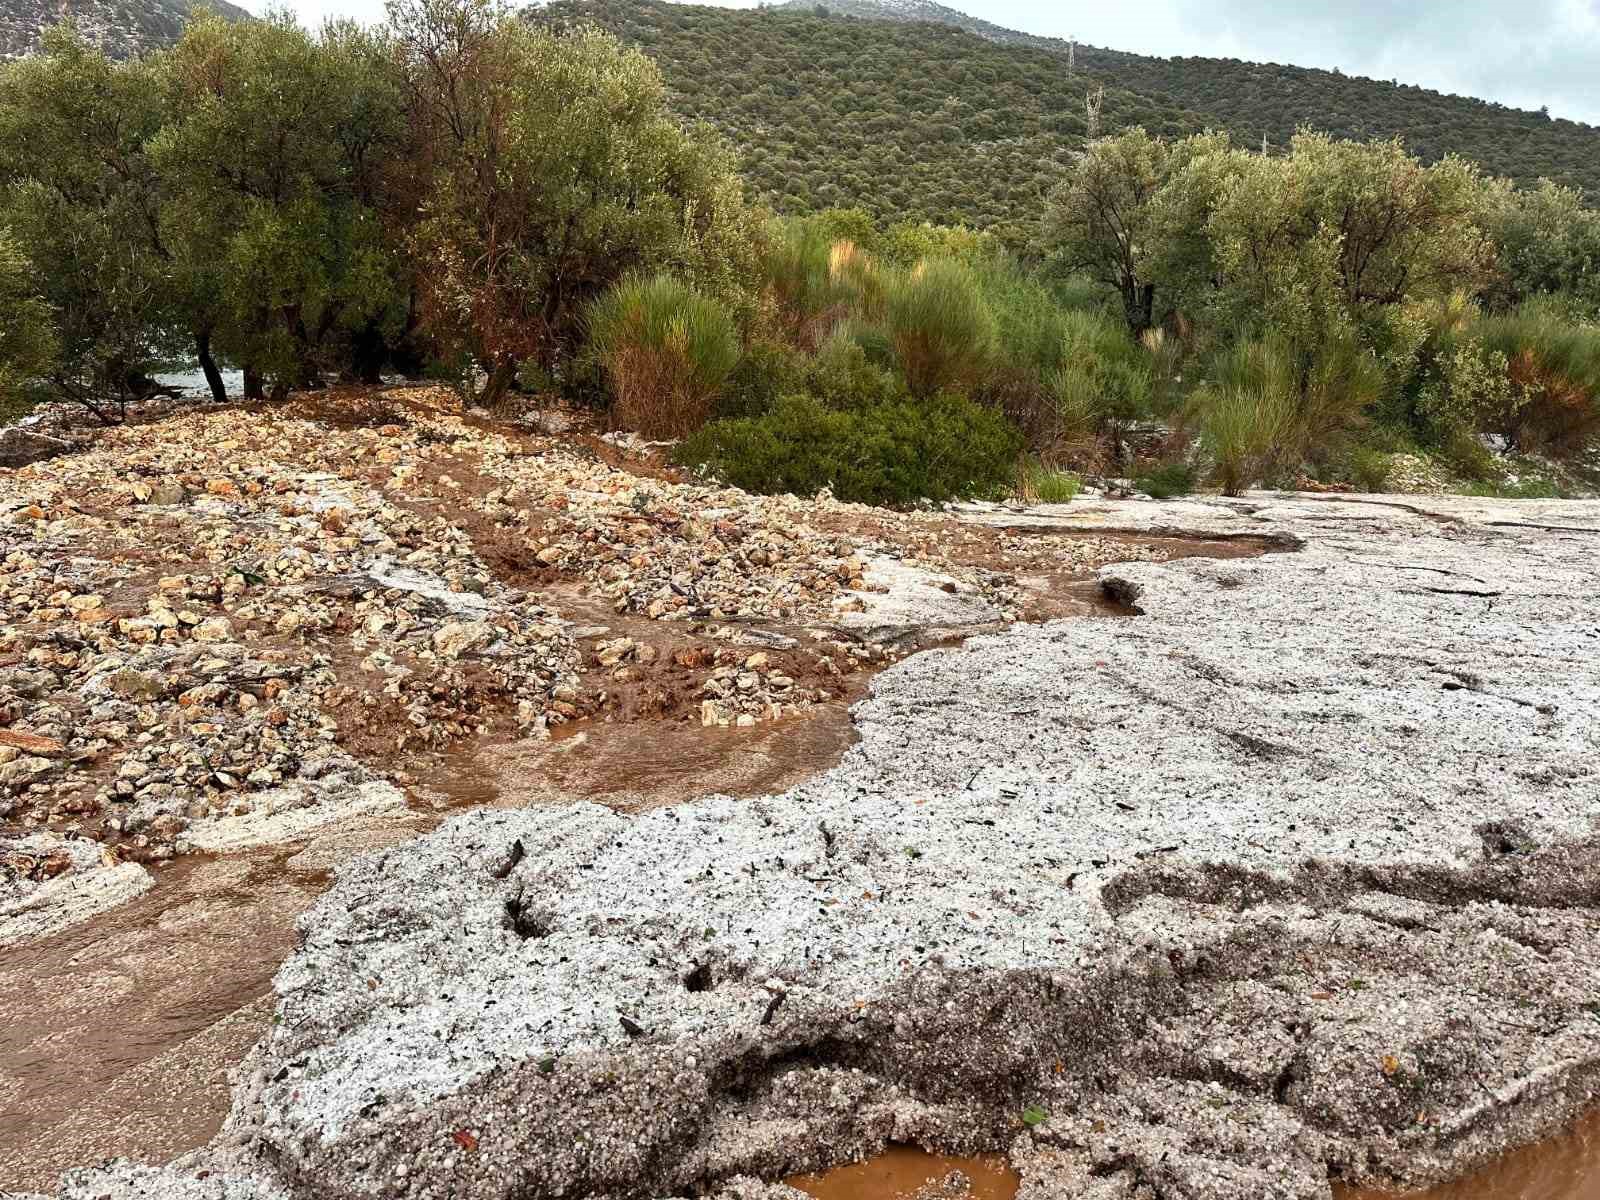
(1225, 849)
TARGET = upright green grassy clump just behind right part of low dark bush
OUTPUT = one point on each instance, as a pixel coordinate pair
(940, 326)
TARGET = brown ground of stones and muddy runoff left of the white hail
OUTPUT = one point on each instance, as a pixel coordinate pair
(223, 625)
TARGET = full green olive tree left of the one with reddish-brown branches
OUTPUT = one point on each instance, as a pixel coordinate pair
(278, 162)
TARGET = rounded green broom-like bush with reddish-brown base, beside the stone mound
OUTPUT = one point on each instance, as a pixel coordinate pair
(666, 350)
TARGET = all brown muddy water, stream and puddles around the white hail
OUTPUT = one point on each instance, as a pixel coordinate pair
(118, 1036)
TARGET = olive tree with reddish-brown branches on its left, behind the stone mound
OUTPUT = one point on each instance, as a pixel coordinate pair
(550, 167)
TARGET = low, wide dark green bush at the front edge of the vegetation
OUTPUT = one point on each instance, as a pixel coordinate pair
(895, 455)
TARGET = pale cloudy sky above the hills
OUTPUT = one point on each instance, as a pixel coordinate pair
(1526, 54)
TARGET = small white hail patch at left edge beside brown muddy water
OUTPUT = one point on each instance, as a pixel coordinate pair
(49, 884)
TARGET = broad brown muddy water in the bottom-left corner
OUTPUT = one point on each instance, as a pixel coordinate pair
(116, 1038)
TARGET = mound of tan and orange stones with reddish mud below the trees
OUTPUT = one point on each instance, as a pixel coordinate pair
(212, 606)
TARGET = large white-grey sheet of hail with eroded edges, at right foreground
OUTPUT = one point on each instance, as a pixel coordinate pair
(1294, 876)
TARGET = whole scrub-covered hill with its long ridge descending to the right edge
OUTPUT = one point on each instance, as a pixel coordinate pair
(932, 121)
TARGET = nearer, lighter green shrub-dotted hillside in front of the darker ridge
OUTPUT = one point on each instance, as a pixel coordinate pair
(919, 121)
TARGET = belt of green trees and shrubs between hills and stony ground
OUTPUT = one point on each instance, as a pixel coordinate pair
(516, 207)
